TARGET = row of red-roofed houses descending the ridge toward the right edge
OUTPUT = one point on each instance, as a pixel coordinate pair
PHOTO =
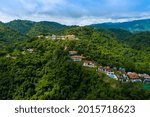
(114, 73)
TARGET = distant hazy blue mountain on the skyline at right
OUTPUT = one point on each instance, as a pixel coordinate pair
(133, 26)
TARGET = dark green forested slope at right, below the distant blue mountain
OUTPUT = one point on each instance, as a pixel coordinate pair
(139, 41)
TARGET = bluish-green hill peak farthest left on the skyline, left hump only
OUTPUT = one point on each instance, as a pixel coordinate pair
(22, 26)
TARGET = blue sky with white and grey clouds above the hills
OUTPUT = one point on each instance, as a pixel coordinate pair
(74, 12)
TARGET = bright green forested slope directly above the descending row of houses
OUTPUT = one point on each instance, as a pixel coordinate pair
(106, 50)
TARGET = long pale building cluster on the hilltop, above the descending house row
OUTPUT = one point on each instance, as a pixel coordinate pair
(59, 37)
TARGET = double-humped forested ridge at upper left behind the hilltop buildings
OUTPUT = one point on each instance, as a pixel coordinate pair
(35, 28)
